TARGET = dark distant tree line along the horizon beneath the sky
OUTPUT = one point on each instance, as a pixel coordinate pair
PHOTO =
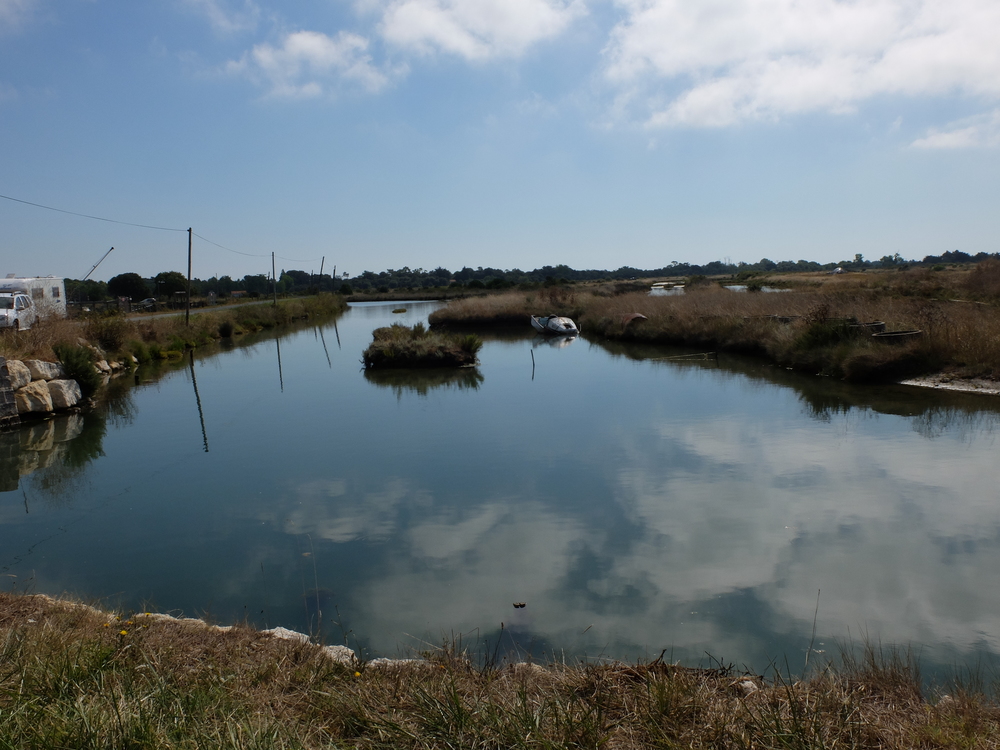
(170, 284)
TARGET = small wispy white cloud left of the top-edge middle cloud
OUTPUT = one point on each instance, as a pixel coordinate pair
(310, 64)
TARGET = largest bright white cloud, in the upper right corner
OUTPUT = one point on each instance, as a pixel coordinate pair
(719, 63)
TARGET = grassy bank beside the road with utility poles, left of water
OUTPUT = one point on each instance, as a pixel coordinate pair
(153, 338)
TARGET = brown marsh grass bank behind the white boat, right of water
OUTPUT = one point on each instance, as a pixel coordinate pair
(812, 327)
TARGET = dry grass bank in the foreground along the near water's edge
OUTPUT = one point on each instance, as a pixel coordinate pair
(75, 677)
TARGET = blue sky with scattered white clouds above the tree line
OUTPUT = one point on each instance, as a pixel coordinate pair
(372, 134)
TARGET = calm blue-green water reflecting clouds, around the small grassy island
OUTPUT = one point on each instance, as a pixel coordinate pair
(635, 501)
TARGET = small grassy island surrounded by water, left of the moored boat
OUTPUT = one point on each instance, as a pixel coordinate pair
(400, 346)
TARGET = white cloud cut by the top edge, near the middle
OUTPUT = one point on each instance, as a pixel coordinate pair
(476, 29)
